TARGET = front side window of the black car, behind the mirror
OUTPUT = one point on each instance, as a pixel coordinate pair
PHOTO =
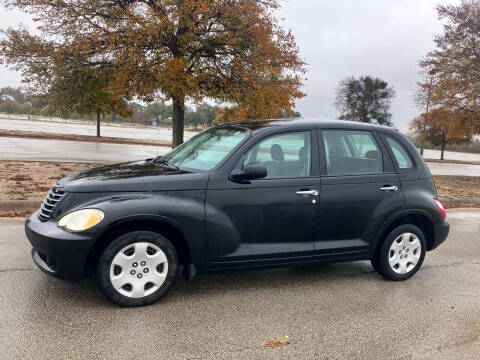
(284, 156)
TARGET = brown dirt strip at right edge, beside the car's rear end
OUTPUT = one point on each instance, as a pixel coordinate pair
(457, 187)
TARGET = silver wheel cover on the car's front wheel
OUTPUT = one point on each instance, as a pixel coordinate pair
(138, 270)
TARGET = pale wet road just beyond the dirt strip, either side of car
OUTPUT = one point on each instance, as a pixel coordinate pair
(37, 149)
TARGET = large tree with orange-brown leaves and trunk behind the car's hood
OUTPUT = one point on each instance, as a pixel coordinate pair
(174, 49)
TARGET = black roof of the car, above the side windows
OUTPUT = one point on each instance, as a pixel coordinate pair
(259, 125)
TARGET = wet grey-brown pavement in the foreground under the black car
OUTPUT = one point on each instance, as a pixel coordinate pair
(332, 311)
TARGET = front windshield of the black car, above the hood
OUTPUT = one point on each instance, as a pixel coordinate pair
(206, 150)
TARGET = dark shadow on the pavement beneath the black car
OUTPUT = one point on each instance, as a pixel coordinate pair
(86, 293)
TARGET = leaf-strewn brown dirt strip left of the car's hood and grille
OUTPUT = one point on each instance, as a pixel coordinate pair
(31, 180)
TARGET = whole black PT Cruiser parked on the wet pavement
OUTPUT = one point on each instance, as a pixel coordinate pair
(242, 196)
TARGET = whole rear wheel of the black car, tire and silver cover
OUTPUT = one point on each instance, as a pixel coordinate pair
(402, 253)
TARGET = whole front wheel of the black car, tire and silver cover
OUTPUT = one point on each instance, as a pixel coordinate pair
(137, 268)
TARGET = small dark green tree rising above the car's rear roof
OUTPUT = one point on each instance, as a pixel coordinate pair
(365, 99)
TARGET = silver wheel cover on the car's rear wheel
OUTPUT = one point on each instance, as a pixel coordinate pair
(404, 253)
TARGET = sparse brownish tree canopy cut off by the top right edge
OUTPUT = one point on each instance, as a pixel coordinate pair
(454, 65)
